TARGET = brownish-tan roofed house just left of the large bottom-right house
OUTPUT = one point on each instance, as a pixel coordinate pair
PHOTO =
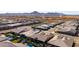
(43, 36)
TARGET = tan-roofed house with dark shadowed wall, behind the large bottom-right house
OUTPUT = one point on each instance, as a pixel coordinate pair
(67, 28)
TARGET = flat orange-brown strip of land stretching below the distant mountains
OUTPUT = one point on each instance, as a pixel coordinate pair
(41, 18)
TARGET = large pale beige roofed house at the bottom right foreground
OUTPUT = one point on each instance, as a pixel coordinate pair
(62, 40)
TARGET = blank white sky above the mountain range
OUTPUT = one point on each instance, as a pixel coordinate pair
(22, 6)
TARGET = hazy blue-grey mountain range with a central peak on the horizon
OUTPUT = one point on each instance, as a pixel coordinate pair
(34, 13)
